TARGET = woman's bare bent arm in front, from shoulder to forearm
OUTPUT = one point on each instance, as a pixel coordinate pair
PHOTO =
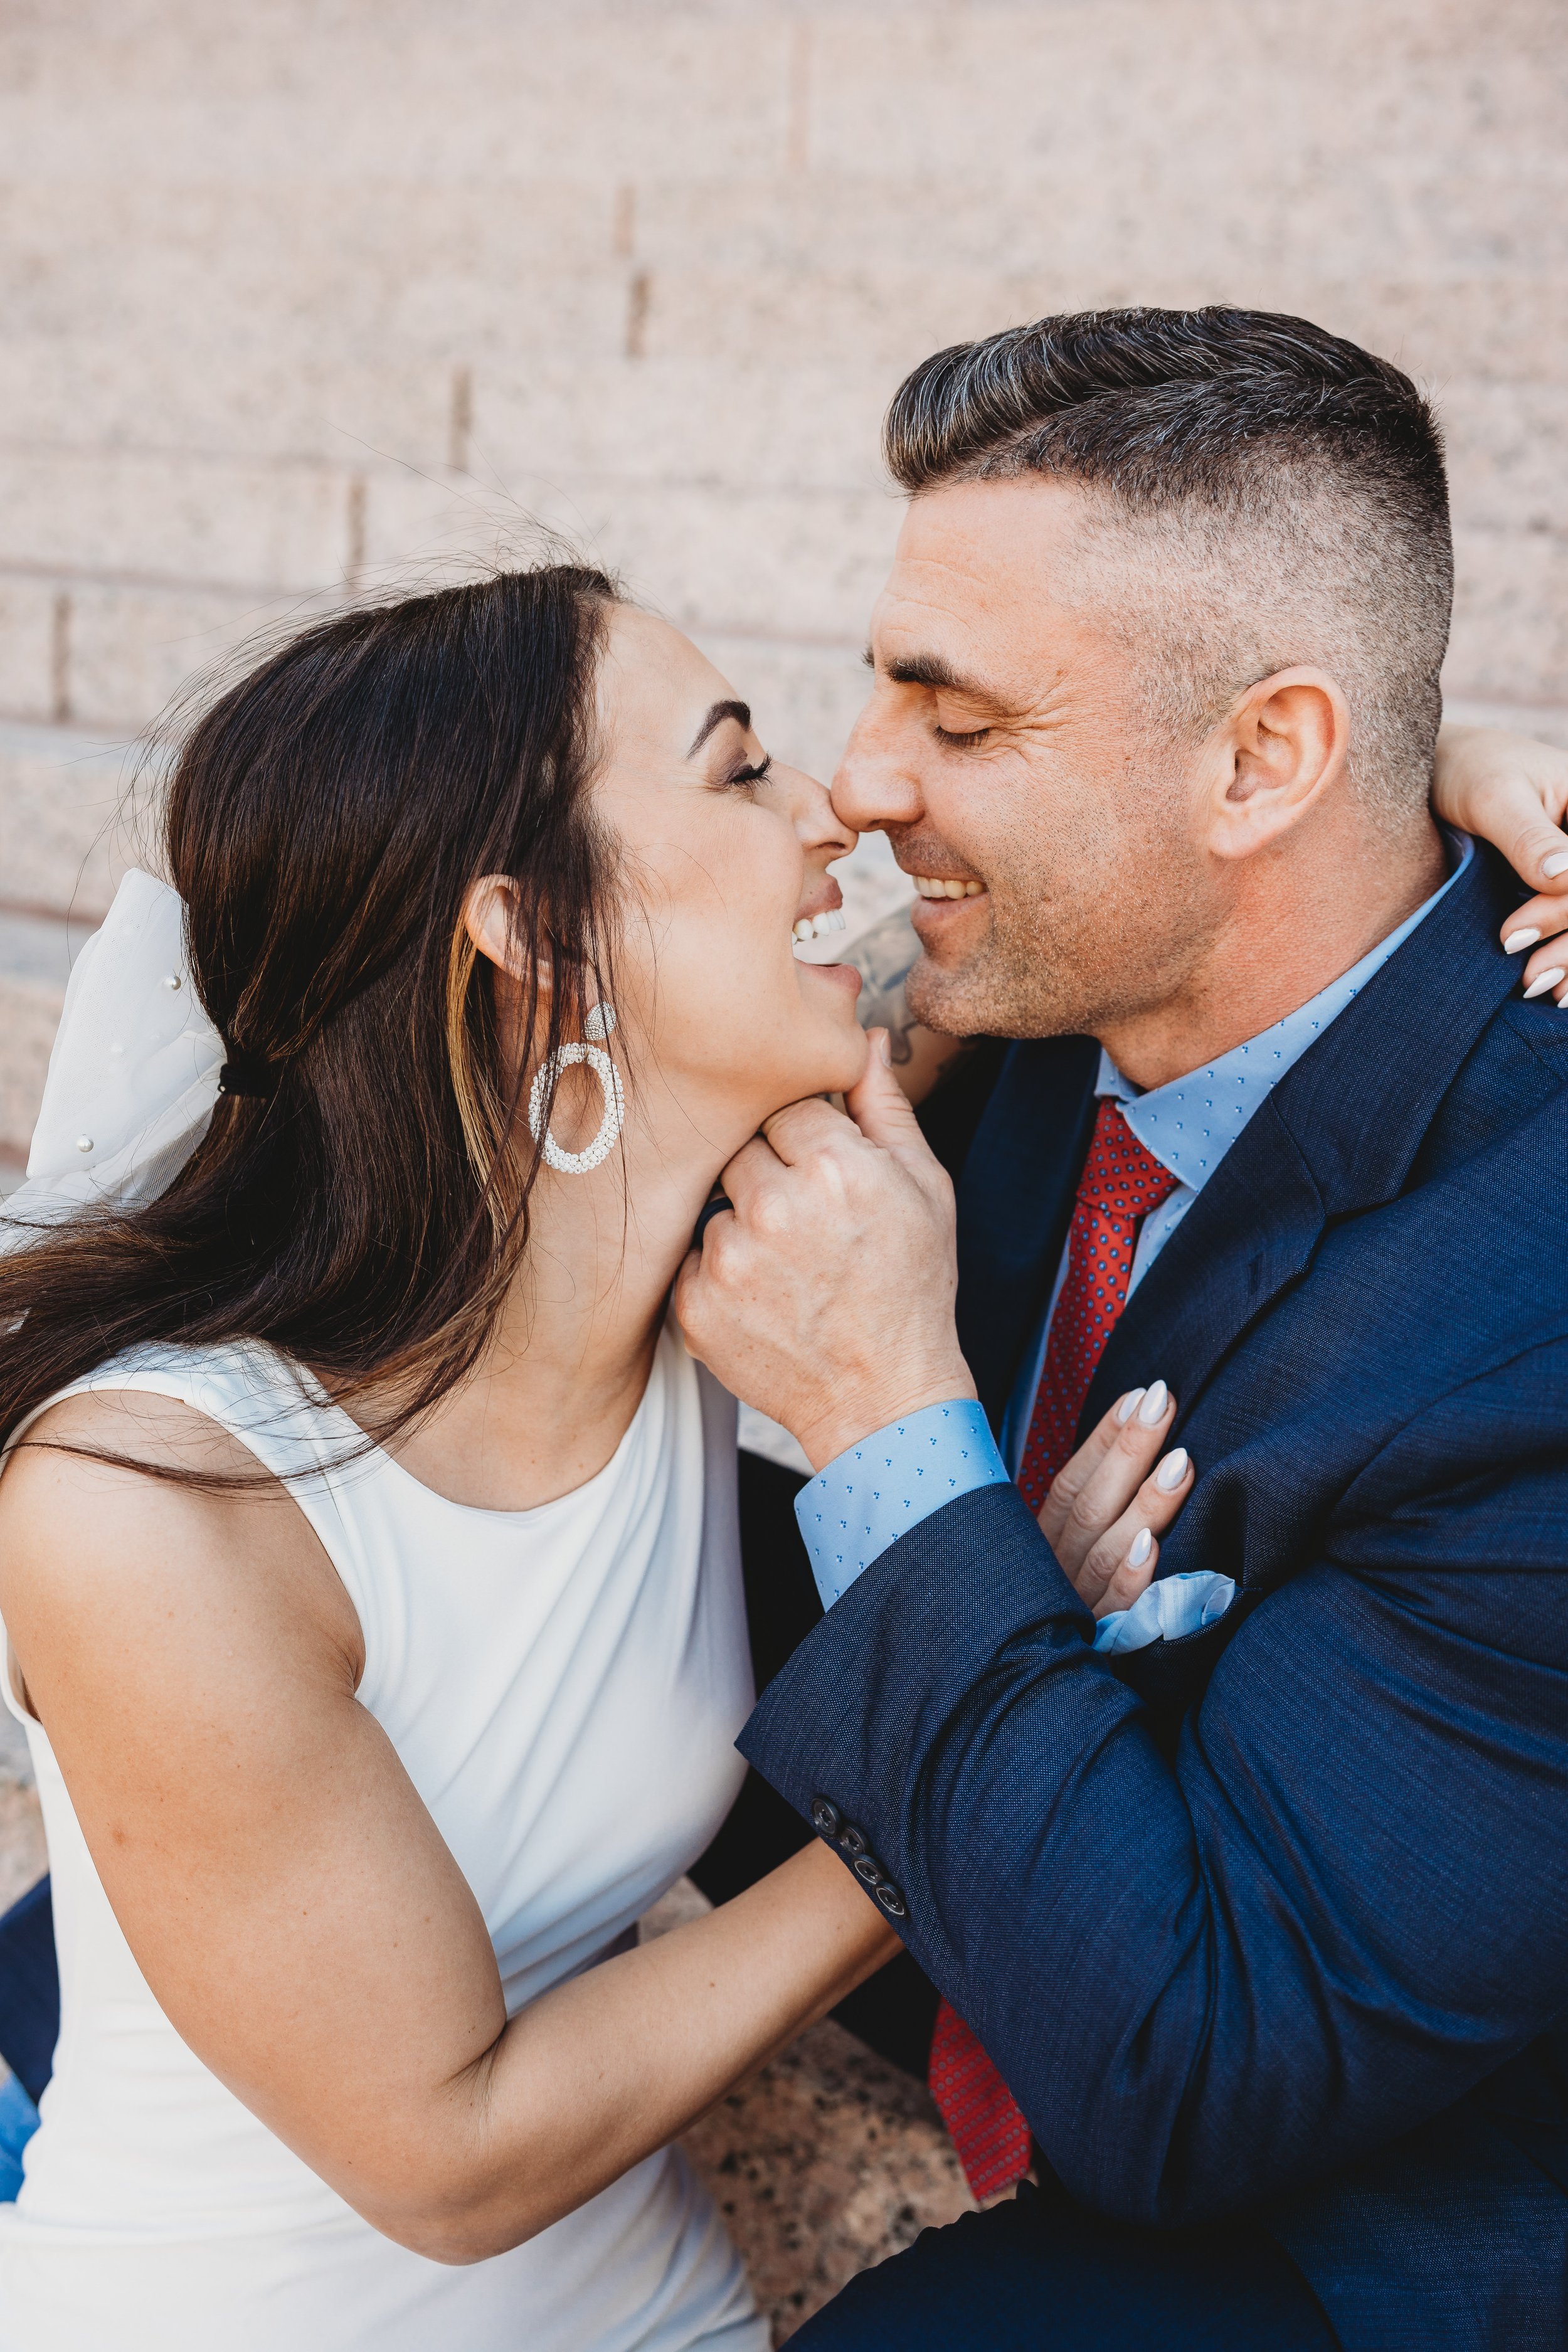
(293, 1904)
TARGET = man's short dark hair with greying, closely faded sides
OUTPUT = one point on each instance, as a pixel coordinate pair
(1271, 495)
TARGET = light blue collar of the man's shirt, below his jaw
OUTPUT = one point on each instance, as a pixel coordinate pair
(1193, 1121)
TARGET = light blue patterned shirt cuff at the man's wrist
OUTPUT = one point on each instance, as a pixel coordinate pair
(876, 1492)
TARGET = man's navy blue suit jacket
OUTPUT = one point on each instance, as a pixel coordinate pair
(1273, 1920)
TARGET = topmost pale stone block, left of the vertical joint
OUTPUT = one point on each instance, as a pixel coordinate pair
(384, 95)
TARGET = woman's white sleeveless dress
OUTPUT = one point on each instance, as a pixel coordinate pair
(563, 1688)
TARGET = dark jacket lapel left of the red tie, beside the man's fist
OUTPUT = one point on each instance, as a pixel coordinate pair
(1017, 1203)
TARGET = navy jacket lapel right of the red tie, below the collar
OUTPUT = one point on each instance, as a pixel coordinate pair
(1336, 1137)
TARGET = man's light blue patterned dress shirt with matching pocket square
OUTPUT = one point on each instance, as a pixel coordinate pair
(873, 1495)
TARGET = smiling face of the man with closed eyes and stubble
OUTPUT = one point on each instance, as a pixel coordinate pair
(1010, 744)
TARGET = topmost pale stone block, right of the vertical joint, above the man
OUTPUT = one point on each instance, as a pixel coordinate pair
(920, 91)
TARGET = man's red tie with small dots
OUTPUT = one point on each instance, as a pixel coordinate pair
(1120, 1184)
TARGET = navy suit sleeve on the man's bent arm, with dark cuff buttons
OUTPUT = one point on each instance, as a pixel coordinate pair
(1336, 1911)
